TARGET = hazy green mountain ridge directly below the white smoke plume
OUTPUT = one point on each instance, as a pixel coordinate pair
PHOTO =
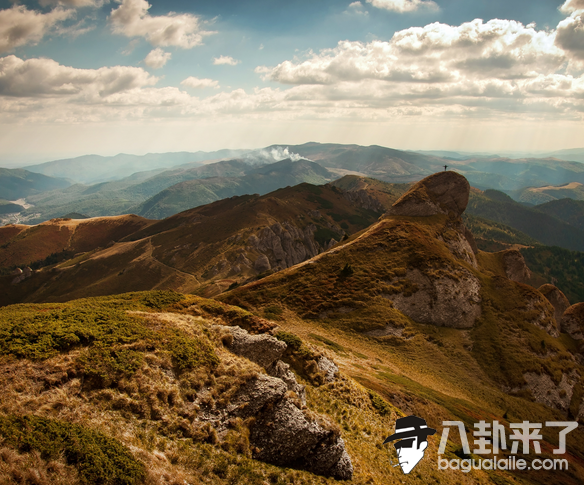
(261, 180)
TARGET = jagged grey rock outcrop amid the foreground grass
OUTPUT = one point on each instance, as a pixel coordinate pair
(282, 433)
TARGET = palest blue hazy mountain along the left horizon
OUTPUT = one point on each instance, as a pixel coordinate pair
(95, 168)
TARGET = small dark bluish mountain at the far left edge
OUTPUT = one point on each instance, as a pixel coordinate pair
(17, 183)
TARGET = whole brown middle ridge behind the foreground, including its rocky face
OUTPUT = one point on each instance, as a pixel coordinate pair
(204, 249)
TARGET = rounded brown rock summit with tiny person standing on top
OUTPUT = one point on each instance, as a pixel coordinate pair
(441, 193)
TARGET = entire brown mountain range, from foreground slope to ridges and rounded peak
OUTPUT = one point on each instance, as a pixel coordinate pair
(337, 309)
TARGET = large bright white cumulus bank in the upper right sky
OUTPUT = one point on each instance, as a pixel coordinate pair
(436, 53)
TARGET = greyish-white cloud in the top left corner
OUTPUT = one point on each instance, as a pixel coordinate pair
(20, 26)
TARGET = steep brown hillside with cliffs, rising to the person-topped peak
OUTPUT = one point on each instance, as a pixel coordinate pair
(414, 313)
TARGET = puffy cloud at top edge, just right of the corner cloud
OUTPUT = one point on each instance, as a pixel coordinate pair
(131, 19)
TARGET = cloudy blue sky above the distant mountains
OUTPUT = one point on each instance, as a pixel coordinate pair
(140, 76)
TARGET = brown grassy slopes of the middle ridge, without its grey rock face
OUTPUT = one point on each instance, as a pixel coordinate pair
(178, 252)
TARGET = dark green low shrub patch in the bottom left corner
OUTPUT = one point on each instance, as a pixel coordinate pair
(98, 458)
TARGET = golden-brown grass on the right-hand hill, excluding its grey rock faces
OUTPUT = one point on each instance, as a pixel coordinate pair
(440, 373)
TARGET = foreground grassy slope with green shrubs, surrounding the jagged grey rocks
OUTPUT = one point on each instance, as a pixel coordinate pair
(115, 367)
